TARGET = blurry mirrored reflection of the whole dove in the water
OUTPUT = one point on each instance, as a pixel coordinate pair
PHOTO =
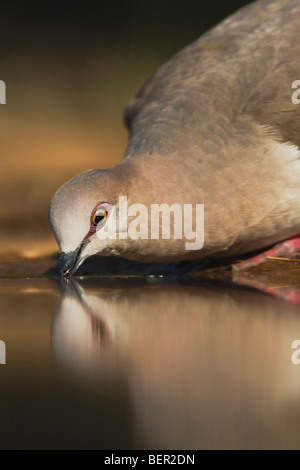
(205, 367)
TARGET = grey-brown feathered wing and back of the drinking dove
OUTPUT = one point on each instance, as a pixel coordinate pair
(245, 65)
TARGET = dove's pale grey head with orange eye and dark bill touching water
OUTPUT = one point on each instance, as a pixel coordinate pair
(79, 210)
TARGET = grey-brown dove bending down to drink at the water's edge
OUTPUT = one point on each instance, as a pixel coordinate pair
(215, 125)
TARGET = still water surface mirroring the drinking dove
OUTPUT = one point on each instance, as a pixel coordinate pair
(146, 362)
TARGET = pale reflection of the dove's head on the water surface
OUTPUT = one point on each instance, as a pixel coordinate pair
(85, 328)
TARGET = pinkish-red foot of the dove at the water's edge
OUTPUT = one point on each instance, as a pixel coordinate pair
(286, 249)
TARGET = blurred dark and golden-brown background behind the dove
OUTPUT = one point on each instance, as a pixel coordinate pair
(69, 73)
